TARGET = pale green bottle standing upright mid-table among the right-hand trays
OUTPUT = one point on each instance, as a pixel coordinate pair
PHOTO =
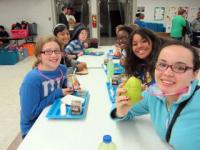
(110, 67)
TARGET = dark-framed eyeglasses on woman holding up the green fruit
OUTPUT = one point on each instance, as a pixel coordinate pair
(177, 67)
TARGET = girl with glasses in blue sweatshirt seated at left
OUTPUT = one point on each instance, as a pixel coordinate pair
(43, 84)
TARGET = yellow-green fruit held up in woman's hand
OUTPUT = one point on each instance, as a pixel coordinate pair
(134, 89)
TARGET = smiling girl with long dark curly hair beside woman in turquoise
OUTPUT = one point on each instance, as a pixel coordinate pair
(144, 45)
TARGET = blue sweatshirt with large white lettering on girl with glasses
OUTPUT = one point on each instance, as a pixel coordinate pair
(37, 92)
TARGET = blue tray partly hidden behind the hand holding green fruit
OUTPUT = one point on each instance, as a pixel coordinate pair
(112, 90)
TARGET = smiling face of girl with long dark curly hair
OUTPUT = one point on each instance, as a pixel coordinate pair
(141, 47)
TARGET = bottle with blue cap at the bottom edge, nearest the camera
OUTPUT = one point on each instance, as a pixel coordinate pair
(107, 143)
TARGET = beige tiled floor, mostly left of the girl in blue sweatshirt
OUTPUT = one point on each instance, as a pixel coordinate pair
(10, 80)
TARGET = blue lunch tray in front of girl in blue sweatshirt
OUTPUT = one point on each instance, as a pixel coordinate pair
(54, 112)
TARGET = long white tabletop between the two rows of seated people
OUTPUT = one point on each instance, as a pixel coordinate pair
(86, 134)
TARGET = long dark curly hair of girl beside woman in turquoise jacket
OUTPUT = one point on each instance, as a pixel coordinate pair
(134, 66)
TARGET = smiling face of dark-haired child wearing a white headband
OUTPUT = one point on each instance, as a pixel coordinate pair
(63, 37)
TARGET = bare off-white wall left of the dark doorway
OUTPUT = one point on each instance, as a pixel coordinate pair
(39, 11)
